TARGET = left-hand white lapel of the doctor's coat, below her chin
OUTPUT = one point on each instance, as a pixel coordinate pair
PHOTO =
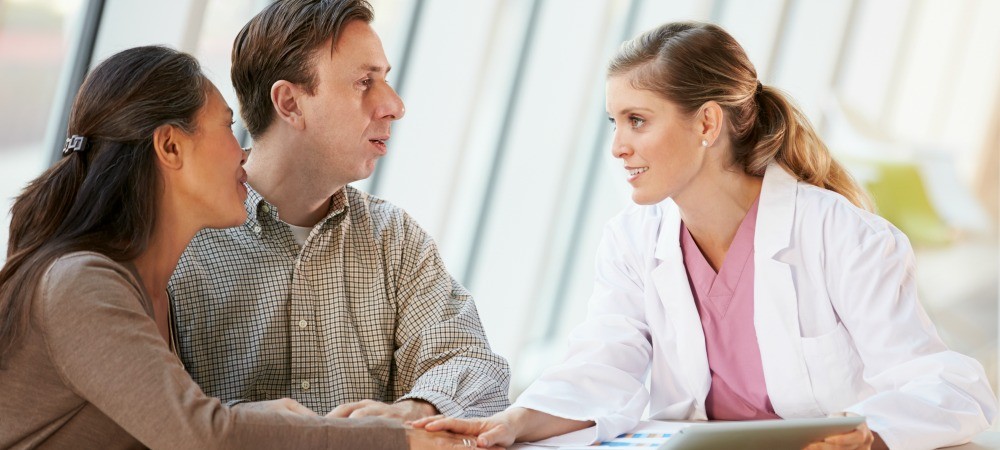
(674, 291)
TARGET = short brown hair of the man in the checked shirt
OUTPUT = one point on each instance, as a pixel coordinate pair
(278, 44)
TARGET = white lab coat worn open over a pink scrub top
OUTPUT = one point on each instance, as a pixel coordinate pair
(836, 313)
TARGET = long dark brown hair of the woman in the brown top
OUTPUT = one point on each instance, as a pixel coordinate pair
(101, 199)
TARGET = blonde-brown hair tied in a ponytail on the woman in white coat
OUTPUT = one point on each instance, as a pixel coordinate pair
(690, 63)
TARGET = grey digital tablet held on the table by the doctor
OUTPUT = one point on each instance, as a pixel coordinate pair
(760, 434)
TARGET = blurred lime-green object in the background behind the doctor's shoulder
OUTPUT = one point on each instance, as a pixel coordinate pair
(901, 197)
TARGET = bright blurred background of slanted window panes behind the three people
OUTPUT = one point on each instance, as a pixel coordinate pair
(504, 152)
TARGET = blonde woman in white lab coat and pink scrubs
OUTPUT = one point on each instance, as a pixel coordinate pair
(724, 168)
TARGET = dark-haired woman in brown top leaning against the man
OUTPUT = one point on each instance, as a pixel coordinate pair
(86, 355)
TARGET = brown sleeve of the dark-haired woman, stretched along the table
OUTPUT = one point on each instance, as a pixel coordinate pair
(110, 353)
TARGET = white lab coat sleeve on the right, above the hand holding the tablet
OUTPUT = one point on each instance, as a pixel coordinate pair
(927, 396)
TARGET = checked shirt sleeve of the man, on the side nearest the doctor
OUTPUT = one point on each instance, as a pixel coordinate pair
(442, 355)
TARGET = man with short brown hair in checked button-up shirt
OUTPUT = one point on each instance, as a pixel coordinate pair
(326, 295)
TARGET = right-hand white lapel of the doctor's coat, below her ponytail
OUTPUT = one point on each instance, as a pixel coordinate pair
(776, 315)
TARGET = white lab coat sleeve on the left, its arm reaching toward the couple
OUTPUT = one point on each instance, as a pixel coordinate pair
(602, 377)
